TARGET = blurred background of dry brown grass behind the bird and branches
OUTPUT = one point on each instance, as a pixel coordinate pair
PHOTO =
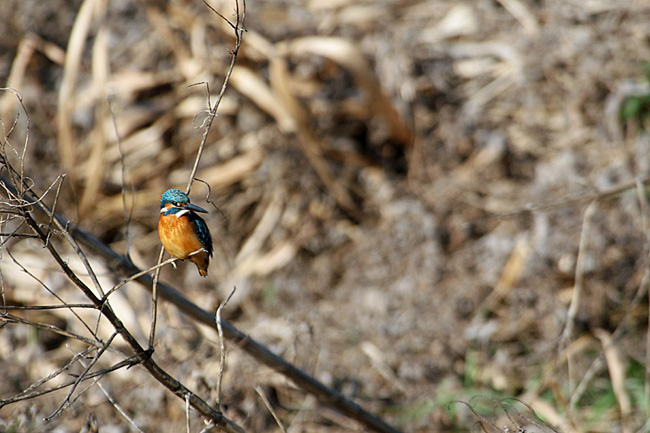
(397, 190)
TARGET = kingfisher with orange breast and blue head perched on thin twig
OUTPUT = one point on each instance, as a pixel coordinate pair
(182, 232)
